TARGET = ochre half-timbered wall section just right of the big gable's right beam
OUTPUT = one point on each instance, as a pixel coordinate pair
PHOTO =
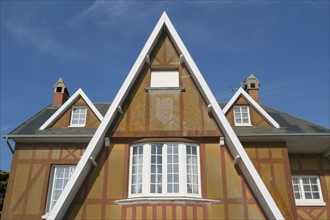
(272, 163)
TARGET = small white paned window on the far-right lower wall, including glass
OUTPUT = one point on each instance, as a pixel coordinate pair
(307, 190)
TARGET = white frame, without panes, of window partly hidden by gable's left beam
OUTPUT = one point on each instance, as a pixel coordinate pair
(51, 183)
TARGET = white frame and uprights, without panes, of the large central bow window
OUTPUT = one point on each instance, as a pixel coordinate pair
(146, 171)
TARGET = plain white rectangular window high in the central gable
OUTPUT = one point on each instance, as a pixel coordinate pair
(164, 79)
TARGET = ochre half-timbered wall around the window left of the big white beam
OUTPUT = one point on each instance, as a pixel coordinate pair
(27, 189)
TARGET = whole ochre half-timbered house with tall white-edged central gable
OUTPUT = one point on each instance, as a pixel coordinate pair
(165, 148)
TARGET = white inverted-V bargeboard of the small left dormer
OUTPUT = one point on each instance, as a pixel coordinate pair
(68, 104)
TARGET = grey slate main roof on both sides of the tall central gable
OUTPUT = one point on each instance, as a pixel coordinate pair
(289, 125)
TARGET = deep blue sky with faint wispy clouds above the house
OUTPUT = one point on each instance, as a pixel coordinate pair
(93, 44)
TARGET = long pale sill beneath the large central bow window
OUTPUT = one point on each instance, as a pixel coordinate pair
(166, 200)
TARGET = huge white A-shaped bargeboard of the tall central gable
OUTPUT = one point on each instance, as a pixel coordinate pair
(234, 145)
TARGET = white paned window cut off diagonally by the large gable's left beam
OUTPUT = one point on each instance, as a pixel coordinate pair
(60, 175)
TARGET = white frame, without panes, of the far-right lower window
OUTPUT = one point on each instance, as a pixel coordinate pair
(303, 201)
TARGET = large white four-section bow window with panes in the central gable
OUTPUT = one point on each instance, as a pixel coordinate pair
(164, 169)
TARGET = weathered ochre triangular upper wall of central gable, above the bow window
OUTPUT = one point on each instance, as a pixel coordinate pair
(154, 112)
